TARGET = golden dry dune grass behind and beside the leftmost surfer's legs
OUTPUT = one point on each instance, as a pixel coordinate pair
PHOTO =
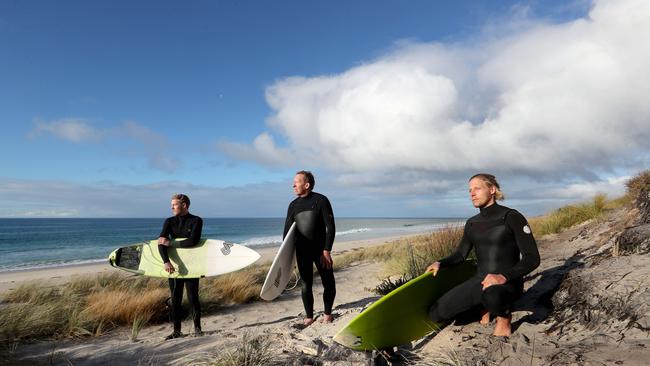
(90, 306)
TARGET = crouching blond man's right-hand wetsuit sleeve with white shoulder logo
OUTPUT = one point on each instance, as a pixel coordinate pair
(526, 244)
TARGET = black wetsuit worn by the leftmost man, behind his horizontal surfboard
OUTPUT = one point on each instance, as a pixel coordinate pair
(190, 227)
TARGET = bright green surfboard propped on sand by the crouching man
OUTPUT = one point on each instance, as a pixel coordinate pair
(402, 316)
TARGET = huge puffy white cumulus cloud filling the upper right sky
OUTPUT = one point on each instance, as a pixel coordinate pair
(549, 99)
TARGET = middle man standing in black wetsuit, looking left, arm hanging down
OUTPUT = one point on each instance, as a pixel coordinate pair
(312, 213)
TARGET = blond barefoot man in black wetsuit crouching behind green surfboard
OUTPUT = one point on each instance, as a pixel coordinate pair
(505, 251)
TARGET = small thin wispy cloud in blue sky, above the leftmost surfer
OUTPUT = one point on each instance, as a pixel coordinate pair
(144, 141)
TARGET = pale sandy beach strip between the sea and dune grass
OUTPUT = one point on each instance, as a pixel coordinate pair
(58, 275)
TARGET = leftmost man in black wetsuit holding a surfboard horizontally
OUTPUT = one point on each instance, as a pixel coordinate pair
(182, 225)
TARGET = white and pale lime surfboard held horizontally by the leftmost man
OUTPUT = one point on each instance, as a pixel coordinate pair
(208, 258)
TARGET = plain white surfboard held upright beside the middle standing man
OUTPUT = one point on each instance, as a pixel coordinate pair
(282, 267)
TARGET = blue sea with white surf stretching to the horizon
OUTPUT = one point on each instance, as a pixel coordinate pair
(36, 243)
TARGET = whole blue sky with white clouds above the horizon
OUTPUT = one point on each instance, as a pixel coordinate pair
(109, 107)
